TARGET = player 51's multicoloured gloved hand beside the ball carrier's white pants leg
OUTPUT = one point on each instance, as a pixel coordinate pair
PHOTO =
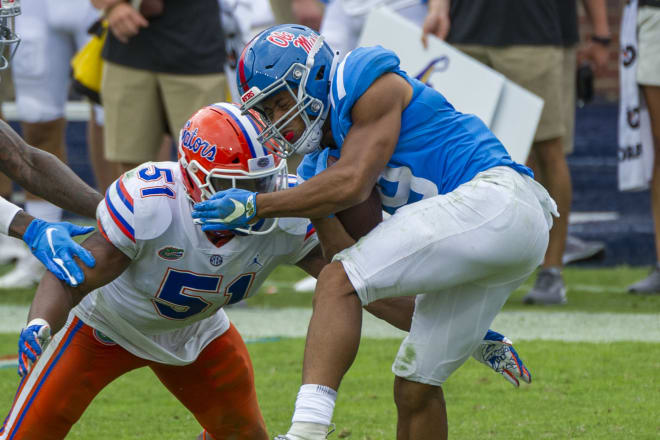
(496, 351)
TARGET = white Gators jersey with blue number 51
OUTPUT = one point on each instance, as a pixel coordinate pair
(167, 305)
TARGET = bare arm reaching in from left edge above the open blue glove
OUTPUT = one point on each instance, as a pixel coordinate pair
(45, 175)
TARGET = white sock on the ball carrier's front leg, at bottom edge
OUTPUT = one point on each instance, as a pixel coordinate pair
(313, 414)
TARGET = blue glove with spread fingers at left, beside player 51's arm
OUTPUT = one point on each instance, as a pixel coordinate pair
(51, 243)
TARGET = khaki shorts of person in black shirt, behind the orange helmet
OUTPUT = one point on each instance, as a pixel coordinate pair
(140, 106)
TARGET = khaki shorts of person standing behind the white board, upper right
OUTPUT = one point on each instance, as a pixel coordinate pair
(537, 69)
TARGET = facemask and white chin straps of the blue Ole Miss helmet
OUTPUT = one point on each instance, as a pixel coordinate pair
(311, 110)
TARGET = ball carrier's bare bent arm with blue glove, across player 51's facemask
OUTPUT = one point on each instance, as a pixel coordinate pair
(366, 150)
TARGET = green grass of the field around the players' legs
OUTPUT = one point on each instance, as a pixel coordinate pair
(607, 390)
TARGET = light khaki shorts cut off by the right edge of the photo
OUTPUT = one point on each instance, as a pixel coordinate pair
(648, 44)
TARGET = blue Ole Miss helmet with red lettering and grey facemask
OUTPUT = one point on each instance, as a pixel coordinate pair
(296, 59)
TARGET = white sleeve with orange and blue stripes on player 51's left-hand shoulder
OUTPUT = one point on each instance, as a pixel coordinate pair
(128, 216)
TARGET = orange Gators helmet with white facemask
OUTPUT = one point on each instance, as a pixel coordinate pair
(219, 149)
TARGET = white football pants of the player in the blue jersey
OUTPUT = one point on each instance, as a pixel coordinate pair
(467, 250)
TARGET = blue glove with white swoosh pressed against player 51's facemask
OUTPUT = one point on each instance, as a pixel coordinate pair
(226, 210)
